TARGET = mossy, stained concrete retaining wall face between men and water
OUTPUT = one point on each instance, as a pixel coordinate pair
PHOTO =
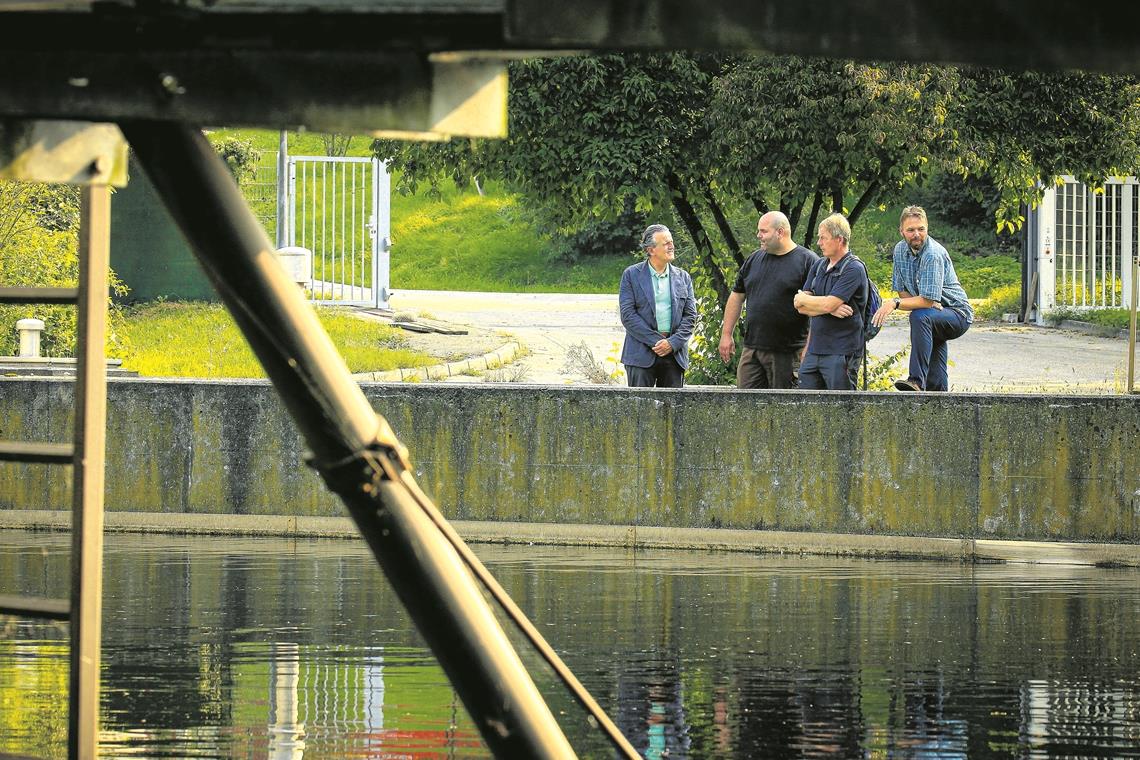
(956, 467)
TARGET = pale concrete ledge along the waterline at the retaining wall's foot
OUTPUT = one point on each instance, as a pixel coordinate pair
(633, 537)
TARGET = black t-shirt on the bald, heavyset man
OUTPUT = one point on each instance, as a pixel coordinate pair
(770, 284)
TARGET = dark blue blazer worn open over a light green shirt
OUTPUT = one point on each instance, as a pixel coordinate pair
(639, 315)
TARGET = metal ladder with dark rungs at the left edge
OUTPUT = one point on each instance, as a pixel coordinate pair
(86, 456)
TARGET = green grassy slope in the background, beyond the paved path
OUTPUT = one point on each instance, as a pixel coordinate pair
(467, 241)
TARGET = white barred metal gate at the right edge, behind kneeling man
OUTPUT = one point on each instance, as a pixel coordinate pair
(1087, 242)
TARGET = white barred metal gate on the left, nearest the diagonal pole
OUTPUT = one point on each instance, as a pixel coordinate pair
(340, 209)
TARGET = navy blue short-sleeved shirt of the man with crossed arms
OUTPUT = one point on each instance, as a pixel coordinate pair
(848, 282)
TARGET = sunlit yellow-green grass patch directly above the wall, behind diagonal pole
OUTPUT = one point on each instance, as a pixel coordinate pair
(200, 340)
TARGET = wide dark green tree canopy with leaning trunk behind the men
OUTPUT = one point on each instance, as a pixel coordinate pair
(709, 138)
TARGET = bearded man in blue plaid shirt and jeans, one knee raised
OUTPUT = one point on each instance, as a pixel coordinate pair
(929, 288)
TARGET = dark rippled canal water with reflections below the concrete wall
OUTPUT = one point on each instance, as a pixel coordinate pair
(280, 649)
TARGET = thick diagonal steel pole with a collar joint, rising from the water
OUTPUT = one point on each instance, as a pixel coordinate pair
(354, 448)
